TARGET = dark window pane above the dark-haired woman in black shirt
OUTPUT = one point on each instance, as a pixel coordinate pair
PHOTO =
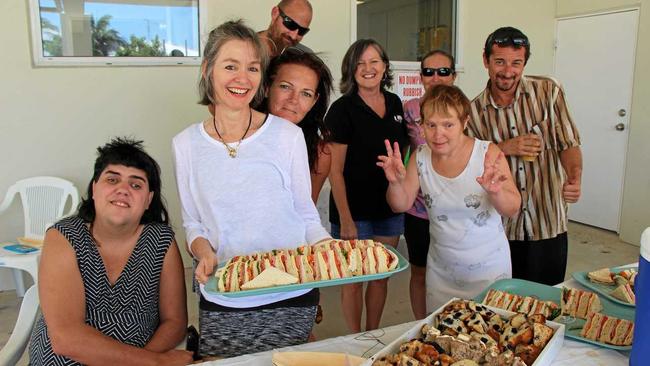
(408, 29)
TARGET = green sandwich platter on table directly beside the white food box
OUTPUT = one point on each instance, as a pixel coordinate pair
(550, 293)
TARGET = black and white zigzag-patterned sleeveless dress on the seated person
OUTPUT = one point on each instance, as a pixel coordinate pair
(126, 311)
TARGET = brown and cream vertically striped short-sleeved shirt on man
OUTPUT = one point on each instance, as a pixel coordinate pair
(539, 107)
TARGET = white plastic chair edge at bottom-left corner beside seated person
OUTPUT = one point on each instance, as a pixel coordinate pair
(19, 338)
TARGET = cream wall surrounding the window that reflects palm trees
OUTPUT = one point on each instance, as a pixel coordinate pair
(52, 119)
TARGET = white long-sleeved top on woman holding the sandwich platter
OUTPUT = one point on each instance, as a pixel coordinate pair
(258, 201)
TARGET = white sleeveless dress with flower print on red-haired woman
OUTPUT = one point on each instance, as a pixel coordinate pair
(468, 249)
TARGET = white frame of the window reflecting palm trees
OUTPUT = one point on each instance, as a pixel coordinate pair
(40, 60)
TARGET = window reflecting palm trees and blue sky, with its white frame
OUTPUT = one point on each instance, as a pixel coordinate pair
(115, 32)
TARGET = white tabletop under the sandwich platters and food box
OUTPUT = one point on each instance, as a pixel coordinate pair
(366, 344)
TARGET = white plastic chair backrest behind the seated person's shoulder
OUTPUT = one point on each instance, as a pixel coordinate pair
(43, 200)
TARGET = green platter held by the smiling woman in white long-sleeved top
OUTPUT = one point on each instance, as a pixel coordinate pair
(402, 264)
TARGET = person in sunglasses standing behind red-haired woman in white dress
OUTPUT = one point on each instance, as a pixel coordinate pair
(436, 67)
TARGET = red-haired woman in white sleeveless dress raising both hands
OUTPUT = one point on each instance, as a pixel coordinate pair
(467, 187)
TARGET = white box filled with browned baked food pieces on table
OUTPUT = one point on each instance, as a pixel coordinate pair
(545, 356)
